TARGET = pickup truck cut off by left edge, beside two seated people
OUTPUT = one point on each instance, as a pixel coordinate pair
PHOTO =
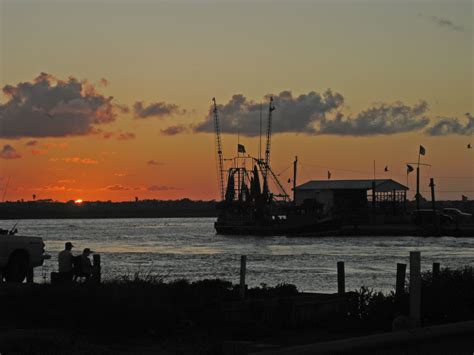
(19, 254)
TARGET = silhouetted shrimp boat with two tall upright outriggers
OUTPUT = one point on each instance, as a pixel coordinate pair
(247, 205)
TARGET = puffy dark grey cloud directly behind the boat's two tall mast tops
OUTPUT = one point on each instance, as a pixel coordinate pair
(292, 114)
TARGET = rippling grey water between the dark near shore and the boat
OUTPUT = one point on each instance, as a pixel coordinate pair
(189, 248)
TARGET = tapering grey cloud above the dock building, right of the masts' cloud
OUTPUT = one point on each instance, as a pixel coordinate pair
(384, 119)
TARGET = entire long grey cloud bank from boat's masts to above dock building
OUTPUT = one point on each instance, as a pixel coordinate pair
(315, 113)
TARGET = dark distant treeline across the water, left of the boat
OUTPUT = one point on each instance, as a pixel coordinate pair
(107, 209)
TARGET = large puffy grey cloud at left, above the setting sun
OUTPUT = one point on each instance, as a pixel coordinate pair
(50, 107)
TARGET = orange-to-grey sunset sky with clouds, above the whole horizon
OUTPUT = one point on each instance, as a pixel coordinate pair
(110, 100)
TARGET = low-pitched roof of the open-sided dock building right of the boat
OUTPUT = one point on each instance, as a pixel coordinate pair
(381, 185)
